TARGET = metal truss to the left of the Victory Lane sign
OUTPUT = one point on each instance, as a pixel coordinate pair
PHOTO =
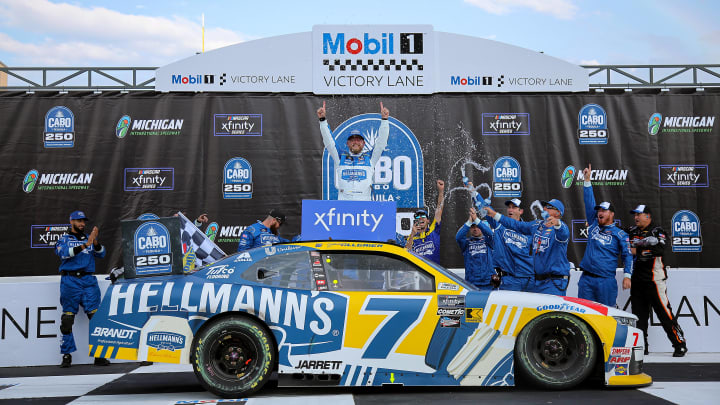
(79, 78)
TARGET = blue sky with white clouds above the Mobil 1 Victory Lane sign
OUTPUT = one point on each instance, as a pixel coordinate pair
(154, 33)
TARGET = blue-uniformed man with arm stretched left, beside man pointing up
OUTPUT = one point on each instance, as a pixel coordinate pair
(549, 246)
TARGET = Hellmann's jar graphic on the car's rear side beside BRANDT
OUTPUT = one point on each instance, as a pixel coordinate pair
(165, 339)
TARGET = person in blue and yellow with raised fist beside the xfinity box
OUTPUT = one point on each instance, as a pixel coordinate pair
(424, 239)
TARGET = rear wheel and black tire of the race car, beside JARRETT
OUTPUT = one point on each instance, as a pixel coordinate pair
(233, 357)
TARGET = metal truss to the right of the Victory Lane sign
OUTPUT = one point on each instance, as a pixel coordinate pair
(653, 76)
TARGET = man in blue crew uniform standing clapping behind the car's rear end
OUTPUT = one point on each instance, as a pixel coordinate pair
(78, 285)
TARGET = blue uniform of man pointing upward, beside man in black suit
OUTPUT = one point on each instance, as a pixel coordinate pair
(605, 243)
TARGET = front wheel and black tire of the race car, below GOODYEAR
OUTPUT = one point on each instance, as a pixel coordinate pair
(556, 351)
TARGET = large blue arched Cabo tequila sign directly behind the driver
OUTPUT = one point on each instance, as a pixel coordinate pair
(399, 172)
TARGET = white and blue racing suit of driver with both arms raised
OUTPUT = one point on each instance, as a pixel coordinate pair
(354, 172)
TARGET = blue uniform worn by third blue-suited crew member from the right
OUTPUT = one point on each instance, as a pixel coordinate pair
(511, 254)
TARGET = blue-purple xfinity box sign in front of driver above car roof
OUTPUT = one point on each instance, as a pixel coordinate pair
(348, 220)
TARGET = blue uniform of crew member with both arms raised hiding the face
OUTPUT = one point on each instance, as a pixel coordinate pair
(477, 254)
